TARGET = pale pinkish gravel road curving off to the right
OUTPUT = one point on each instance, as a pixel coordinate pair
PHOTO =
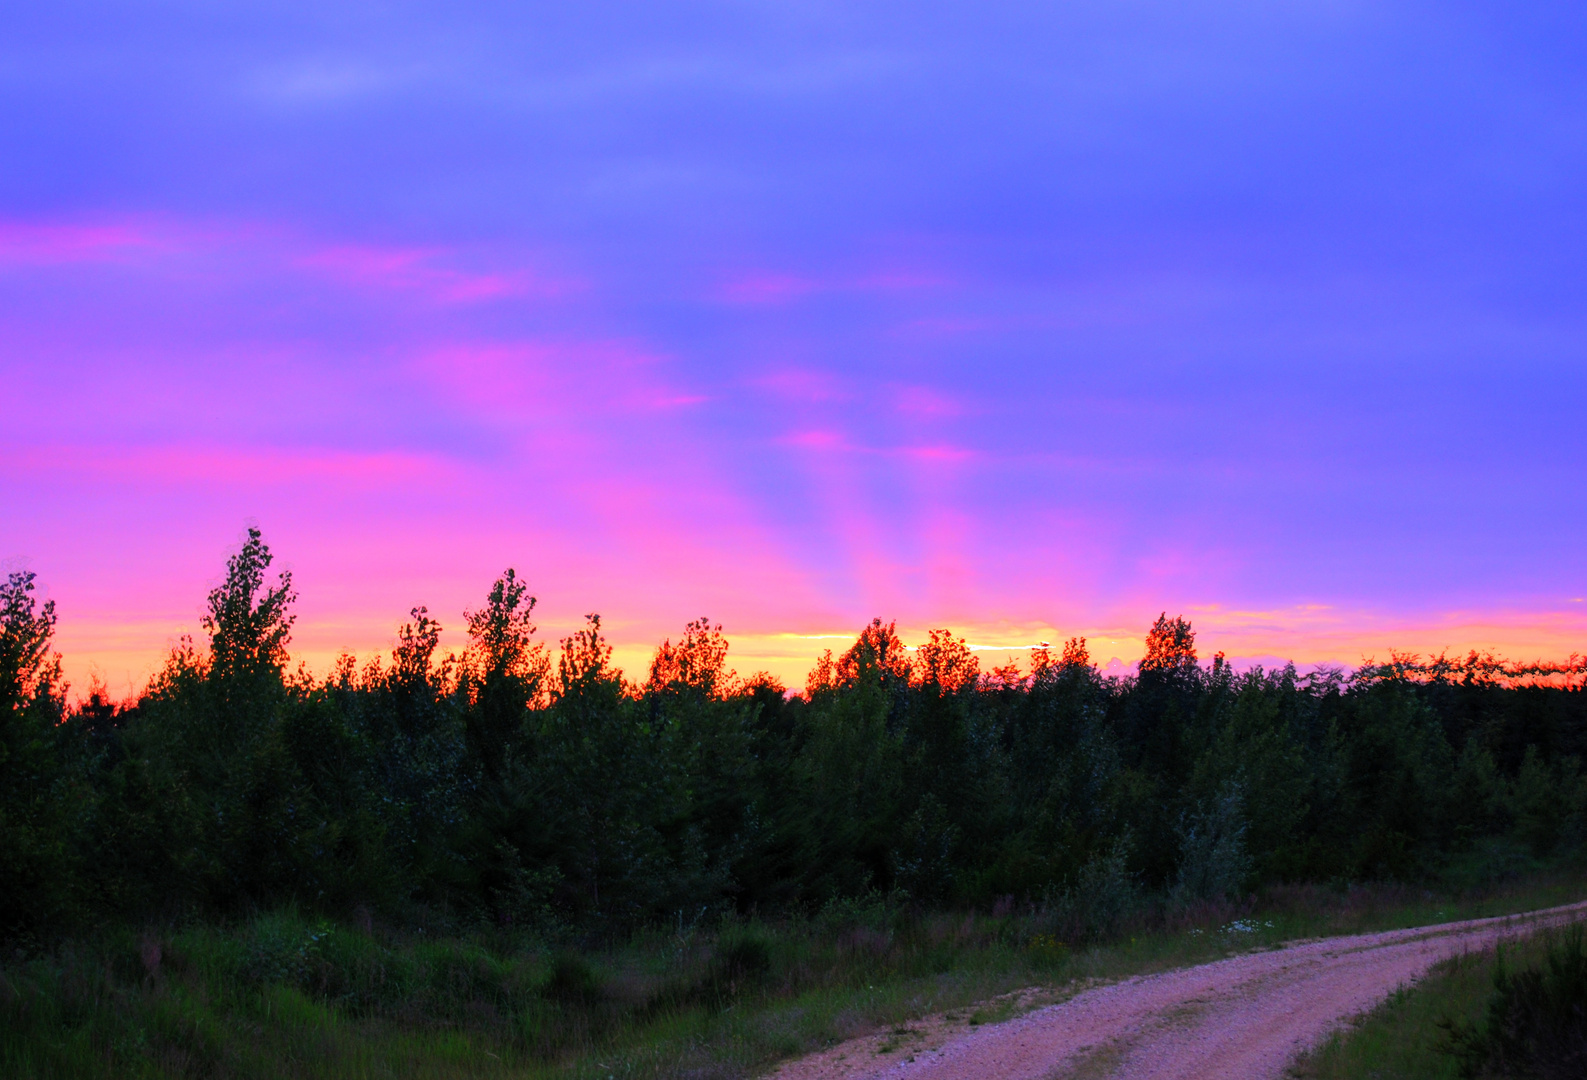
(1239, 1019)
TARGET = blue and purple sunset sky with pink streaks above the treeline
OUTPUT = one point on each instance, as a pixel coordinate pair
(1021, 320)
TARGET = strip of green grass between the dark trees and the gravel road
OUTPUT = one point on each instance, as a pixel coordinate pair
(288, 997)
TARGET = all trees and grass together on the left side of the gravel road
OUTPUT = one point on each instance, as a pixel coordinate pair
(517, 860)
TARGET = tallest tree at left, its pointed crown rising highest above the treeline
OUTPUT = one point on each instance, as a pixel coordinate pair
(210, 753)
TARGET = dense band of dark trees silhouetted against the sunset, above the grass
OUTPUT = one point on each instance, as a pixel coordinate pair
(518, 786)
